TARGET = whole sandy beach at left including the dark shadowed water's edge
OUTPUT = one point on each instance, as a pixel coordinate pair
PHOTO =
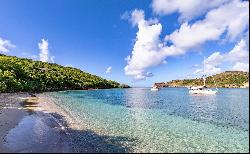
(40, 125)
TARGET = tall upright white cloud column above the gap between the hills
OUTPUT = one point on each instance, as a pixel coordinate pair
(148, 50)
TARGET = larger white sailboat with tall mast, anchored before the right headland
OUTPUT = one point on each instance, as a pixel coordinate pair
(202, 89)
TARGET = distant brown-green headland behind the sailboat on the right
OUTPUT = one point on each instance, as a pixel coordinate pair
(228, 79)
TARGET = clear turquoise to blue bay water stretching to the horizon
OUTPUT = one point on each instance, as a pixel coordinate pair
(169, 120)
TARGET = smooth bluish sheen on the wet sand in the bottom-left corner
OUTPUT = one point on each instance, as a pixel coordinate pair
(34, 134)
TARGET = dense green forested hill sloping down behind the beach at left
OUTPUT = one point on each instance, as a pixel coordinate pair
(20, 74)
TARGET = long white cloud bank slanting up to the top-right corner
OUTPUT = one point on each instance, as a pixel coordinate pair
(231, 18)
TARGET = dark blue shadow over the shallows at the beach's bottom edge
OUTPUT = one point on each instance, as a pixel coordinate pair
(88, 141)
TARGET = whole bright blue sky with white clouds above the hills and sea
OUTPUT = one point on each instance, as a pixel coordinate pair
(136, 42)
